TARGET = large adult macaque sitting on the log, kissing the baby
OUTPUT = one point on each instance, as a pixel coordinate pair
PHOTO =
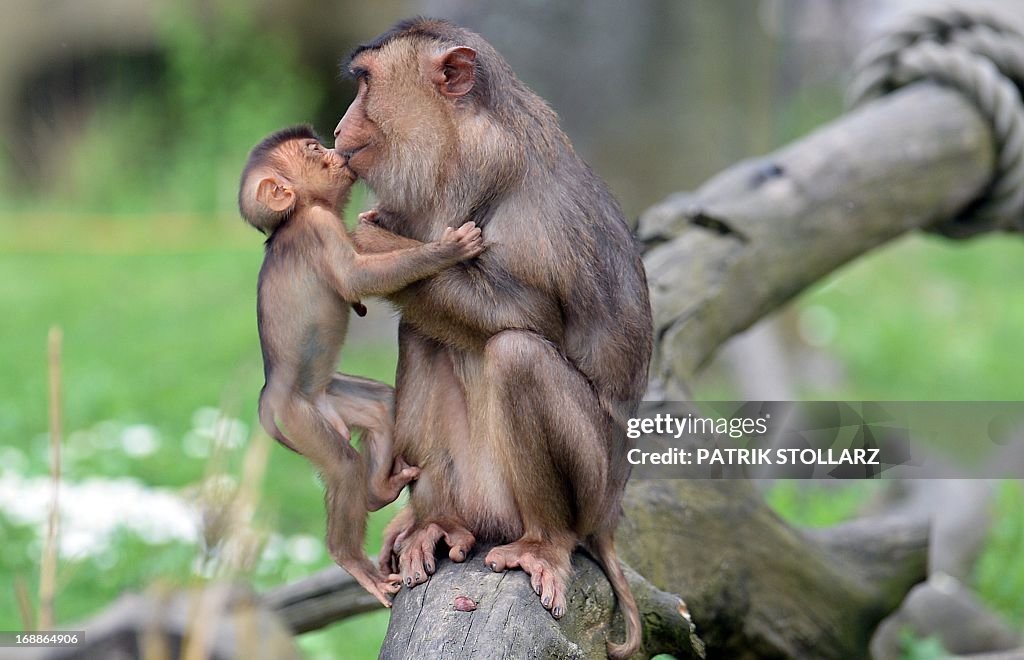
(517, 371)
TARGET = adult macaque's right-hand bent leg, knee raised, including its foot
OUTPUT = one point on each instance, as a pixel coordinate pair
(547, 419)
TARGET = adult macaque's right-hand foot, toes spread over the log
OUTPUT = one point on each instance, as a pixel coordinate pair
(546, 562)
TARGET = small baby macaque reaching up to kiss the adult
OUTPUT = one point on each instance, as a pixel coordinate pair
(293, 190)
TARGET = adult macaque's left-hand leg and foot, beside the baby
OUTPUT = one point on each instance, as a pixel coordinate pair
(432, 422)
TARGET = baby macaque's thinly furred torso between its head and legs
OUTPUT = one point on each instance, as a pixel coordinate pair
(303, 321)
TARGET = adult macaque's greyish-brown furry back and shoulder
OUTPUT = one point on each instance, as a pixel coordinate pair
(593, 270)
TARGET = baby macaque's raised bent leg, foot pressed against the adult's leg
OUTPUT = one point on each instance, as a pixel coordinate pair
(370, 406)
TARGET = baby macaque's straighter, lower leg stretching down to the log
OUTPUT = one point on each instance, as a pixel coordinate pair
(344, 471)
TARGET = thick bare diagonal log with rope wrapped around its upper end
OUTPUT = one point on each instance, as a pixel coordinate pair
(760, 233)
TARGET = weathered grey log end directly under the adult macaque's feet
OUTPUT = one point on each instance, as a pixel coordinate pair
(509, 623)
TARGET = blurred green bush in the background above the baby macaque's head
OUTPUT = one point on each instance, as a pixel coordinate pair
(182, 145)
